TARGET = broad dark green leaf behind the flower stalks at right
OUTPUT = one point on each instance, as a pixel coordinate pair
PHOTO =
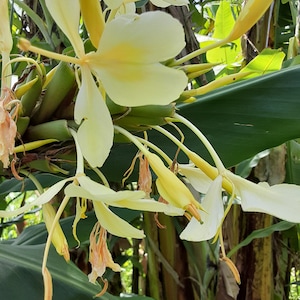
(240, 120)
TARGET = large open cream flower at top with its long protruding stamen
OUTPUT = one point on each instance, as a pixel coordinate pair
(127, 65)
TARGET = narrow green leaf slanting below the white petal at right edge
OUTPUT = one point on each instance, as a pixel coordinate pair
(261, 233)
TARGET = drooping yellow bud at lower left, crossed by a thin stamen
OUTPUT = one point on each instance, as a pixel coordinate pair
(58, 238)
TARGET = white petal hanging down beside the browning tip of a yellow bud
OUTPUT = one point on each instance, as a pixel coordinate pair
(212, 203)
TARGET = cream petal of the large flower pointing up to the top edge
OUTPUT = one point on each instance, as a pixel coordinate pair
(66, 14)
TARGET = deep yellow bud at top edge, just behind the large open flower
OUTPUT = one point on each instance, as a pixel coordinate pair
(93, 19)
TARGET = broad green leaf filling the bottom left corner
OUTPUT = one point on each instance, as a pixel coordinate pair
(20, 275)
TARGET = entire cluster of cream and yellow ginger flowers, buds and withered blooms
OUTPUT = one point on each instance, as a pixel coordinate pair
(133, 64)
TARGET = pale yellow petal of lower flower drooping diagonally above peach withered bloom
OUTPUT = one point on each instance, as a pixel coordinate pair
(114, 224)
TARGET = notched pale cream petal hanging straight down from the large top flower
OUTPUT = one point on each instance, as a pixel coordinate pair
(95, 134)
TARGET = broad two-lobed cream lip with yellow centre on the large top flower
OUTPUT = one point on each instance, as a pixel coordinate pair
(128, 59)
